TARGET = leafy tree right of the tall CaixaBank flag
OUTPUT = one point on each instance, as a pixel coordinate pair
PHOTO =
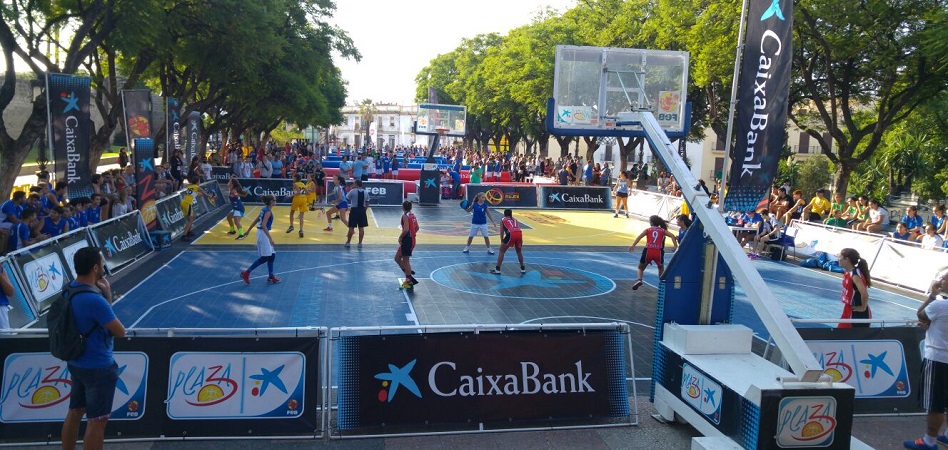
(859, 69)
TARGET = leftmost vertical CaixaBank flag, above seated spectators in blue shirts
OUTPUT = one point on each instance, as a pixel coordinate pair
(70, 130)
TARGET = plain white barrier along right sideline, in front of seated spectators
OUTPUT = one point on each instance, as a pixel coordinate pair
(900, 263)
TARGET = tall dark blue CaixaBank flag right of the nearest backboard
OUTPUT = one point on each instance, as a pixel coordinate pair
(762, 104)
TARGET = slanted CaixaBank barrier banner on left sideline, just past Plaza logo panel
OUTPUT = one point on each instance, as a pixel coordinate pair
(122, 240)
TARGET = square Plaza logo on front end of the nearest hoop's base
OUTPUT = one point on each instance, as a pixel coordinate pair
(806, 422)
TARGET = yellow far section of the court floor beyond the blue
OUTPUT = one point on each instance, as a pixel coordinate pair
(444, 226)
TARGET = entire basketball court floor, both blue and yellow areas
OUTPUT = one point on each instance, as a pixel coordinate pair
(578, 270)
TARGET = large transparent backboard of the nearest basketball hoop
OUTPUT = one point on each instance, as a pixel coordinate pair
(595, 87)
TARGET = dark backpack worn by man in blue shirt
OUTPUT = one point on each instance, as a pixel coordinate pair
(66, 342)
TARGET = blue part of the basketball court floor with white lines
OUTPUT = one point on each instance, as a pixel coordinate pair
(331, 286)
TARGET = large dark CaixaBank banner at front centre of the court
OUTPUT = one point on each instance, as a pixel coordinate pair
(429, 380)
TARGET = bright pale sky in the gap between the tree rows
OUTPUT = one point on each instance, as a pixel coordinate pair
(399, 38)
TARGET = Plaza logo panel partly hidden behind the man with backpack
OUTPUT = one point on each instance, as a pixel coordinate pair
(37, 387)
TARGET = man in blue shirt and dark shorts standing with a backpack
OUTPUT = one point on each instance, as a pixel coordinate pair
(94, 373)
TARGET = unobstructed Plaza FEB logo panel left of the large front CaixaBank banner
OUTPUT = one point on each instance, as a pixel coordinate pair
(203, 385)
